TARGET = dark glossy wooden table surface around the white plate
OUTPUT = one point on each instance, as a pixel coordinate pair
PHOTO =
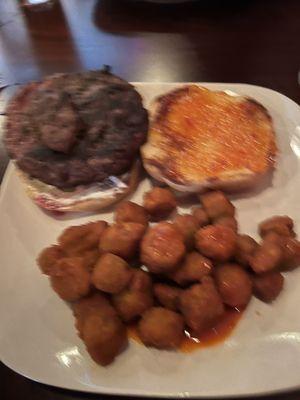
(254, 42)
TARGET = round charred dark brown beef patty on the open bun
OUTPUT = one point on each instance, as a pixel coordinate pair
(75, 129)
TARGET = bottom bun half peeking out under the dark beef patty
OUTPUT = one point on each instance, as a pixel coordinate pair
(94, 197)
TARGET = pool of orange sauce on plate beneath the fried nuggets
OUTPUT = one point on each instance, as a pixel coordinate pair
(211, 337)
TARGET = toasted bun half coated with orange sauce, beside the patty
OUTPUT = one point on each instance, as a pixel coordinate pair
(198, 137)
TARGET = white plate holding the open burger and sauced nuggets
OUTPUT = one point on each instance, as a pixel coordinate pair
(37, 335)
